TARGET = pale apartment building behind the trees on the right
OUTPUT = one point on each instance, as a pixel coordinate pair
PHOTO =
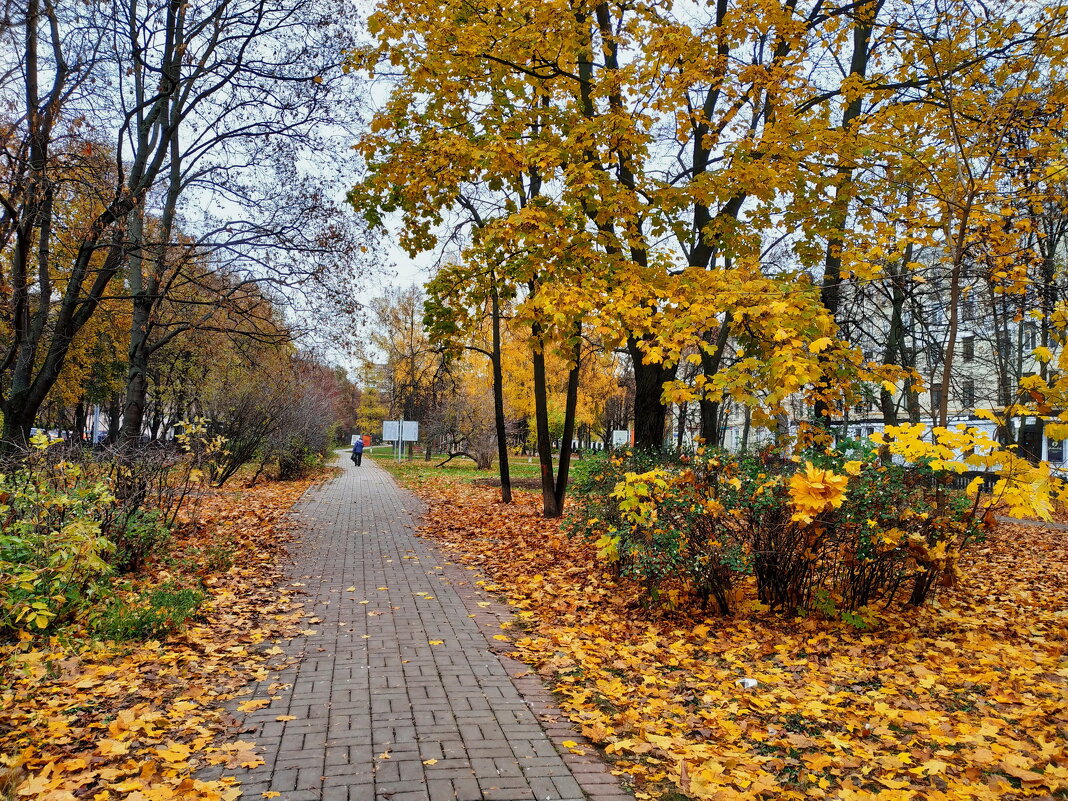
(996, 339)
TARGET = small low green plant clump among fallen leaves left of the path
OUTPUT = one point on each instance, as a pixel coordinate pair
(149, 616)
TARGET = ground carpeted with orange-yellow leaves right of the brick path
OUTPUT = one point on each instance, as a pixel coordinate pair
(966, 699)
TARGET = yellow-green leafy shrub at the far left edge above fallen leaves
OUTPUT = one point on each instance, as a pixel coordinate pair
(70, 520)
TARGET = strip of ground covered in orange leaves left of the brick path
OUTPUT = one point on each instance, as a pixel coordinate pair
(105, 721)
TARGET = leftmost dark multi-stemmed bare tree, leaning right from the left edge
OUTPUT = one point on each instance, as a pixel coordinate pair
(59, 58)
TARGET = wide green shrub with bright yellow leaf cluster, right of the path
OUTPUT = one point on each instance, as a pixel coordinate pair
(830, 532)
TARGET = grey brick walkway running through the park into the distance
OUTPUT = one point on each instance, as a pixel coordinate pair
(400, 696)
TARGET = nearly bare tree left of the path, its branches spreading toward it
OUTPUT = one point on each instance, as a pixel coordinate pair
(281, 62)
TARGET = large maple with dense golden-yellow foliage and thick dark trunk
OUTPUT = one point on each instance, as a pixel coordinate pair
(661, 214)
